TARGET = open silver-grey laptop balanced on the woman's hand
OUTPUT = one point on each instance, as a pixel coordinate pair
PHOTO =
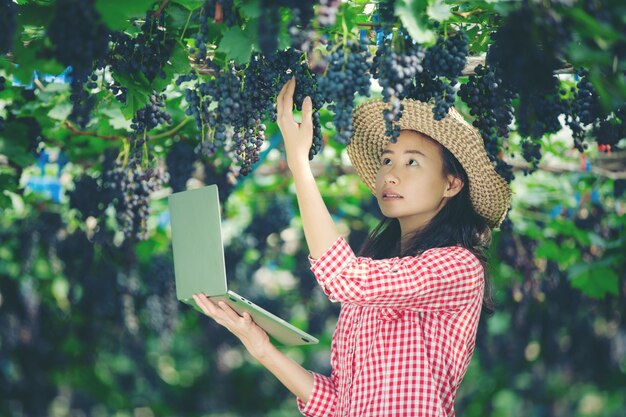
(199, 264)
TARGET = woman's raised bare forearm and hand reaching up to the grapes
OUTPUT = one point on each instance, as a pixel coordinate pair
(319, 229)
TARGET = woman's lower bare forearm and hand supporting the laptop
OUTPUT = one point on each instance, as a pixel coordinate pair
(293, 376)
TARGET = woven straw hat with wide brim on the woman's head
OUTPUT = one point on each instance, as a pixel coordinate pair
(489, 192)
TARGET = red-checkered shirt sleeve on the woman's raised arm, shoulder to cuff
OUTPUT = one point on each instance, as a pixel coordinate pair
(446, 278)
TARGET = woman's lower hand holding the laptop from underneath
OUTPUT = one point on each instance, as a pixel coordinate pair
(255, 339)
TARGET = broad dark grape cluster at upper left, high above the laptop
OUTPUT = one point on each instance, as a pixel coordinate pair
(147, 53)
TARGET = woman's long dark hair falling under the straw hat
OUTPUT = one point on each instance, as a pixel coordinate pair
(456, 224)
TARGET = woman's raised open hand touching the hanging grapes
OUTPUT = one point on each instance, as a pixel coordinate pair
(298, 137)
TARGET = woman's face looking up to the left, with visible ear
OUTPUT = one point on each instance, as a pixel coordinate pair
(410, 184)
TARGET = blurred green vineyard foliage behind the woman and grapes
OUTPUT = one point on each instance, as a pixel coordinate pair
(91, 326)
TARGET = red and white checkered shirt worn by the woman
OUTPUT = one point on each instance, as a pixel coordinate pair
(405, 334)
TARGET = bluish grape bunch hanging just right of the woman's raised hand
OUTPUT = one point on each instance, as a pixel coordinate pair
(347, 75)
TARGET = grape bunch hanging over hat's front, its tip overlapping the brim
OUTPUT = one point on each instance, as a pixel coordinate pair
(396, 73)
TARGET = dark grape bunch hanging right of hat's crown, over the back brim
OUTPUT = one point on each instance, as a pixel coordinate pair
(491, 105)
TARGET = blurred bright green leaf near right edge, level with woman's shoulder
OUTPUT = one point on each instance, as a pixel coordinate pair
(593, 280)
